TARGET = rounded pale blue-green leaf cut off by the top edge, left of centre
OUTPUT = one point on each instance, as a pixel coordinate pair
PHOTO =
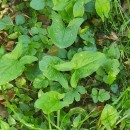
(37, 4)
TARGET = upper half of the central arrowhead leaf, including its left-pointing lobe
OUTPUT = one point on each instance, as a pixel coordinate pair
(80, 59)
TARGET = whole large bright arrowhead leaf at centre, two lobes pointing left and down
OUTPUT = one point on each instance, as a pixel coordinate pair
(84, 64)
